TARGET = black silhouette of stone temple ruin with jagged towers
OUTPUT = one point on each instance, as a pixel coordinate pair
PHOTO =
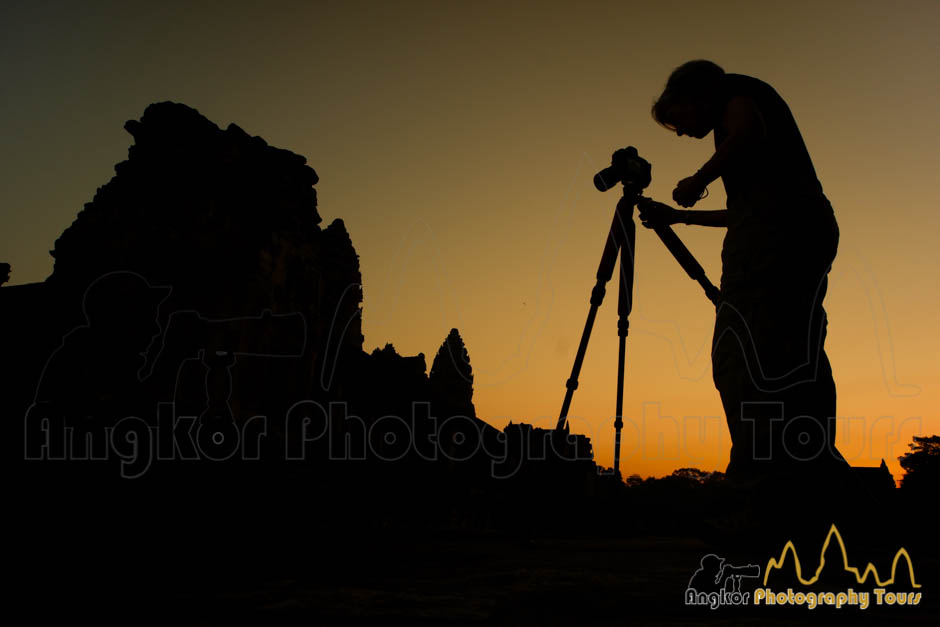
(199, 282)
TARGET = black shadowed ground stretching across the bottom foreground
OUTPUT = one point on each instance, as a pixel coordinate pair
(186, 553)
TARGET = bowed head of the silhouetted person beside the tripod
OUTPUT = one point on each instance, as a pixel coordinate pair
(688, 103)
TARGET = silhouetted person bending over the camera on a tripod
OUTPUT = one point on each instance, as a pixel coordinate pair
(768, 360)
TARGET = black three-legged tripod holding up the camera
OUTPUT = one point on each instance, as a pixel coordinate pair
(622, 238)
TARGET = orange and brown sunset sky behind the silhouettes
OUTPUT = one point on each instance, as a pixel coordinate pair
(458, 140)
